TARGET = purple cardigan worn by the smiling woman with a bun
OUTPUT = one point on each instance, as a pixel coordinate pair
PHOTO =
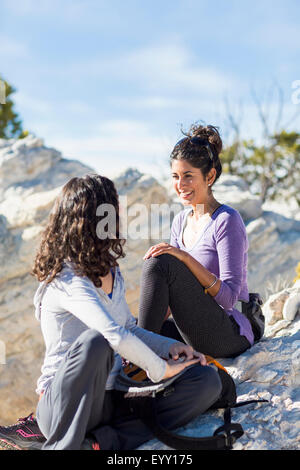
(222, 249)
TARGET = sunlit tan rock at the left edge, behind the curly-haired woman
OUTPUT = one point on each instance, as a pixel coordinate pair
(31, 176)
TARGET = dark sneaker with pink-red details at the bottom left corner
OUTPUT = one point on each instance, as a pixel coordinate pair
(25, 435)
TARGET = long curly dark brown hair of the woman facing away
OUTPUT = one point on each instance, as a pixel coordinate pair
(72, 233)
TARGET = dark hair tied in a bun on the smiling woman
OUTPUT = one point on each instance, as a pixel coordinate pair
(201, 147)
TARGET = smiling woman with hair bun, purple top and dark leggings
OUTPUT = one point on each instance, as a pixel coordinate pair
(201, 274)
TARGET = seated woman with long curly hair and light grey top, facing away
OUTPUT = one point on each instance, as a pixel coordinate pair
(88, 329)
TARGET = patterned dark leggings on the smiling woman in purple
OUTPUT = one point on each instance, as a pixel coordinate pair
(197, 318)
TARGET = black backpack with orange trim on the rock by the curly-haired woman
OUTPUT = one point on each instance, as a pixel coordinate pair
(141, 392)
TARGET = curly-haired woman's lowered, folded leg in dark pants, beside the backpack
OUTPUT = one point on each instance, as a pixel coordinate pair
(195, 391)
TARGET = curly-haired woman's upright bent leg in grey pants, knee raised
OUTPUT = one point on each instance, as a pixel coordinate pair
(74, 402)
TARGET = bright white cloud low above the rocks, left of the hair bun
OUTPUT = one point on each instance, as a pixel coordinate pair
(116, 145)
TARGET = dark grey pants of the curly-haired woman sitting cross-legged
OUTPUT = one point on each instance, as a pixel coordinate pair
(76, 403)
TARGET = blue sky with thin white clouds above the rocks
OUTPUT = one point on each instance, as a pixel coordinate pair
(111, 83)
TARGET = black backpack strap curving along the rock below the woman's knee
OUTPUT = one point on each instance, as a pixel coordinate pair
(223, 439)
